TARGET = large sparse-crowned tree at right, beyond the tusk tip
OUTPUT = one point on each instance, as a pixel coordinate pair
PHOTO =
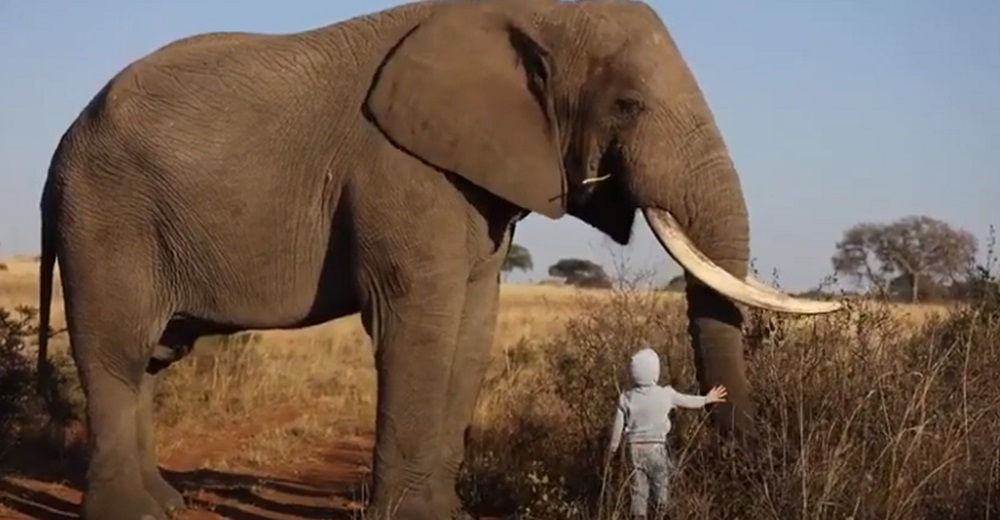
(906, 255)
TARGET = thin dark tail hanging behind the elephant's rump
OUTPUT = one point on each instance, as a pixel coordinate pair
(46, 385)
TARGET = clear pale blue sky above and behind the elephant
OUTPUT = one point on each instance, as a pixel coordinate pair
(835, 111)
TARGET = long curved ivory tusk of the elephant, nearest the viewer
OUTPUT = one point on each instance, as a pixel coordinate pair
(750, 291)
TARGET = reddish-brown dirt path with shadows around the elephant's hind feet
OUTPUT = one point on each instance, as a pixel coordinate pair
(327, 486)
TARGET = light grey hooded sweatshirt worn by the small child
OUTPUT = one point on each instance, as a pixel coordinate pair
(643, 410)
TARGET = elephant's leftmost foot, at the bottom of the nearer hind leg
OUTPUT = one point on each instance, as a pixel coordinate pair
(123, 498)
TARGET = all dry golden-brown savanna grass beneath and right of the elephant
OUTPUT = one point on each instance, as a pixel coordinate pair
(880, 412)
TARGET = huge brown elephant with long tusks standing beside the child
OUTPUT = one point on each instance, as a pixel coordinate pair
(379, 165)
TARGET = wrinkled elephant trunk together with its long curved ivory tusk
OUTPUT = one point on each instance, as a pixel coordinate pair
(699, 216)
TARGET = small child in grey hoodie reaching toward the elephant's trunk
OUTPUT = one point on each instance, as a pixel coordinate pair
(643, 416)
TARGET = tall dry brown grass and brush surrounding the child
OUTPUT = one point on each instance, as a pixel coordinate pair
(860, 414)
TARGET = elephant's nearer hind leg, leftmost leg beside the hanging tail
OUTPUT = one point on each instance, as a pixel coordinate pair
(112, 341)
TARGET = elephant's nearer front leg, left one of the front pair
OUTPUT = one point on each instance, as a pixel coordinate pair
(414, 334)
